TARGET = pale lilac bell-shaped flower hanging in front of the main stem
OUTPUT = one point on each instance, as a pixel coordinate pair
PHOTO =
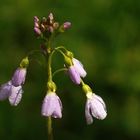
(52, 106)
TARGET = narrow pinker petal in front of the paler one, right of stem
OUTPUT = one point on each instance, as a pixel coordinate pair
(74, 75)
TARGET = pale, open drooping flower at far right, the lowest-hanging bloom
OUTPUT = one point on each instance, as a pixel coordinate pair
(95, 107)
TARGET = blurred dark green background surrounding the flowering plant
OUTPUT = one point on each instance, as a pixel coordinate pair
(105, 36)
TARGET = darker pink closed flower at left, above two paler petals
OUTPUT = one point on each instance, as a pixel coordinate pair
(19, 77)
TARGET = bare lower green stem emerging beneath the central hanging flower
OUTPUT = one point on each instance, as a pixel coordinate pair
(50, 133)
